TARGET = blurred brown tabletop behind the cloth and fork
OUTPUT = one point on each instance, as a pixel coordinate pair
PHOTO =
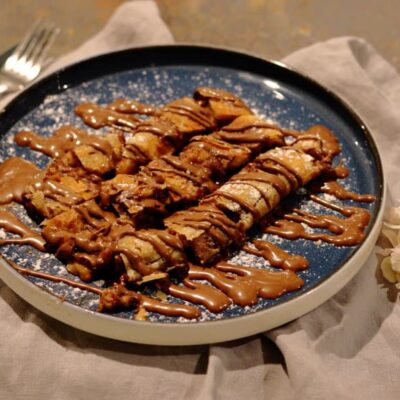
(269, 28)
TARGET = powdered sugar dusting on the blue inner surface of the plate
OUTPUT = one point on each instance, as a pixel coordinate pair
(279, 103)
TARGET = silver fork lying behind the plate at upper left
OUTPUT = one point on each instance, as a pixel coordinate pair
(28, 58)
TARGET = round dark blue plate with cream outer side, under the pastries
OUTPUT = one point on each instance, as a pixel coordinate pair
(157, 75)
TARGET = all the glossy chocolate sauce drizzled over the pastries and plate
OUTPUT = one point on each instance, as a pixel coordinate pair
(227, 283)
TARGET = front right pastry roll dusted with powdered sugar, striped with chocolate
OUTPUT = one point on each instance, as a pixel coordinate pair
(222, 219)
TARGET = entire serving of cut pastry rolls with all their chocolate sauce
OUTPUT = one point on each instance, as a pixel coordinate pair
(168, 187)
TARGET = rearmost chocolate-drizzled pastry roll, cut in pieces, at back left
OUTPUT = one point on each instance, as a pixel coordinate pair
(95, 158)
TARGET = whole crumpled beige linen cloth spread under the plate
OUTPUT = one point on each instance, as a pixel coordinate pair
(348, 348)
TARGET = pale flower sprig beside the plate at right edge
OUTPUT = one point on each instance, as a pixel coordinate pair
(390, 265)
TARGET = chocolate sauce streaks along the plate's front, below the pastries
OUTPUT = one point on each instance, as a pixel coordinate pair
(233, 284)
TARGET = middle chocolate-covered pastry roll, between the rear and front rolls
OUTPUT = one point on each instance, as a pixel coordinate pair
(173, 182)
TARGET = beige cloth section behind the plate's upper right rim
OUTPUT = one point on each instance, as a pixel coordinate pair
(356, 72)
